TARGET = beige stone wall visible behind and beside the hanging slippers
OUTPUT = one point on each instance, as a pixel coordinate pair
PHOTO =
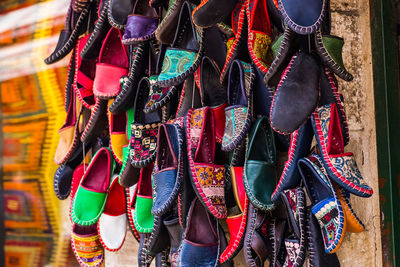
(350, 20)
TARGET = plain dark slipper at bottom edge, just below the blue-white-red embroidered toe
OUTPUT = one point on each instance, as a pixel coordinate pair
(315, 244)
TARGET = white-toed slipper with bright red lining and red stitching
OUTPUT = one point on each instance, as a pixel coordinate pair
(113, 222)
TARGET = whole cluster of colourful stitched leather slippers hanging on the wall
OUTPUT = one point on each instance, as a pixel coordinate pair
(175, 113)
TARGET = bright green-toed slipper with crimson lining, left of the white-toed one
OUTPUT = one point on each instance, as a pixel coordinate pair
(91, 195)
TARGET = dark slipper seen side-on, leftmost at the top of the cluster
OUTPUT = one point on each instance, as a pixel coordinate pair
(75, 25)
